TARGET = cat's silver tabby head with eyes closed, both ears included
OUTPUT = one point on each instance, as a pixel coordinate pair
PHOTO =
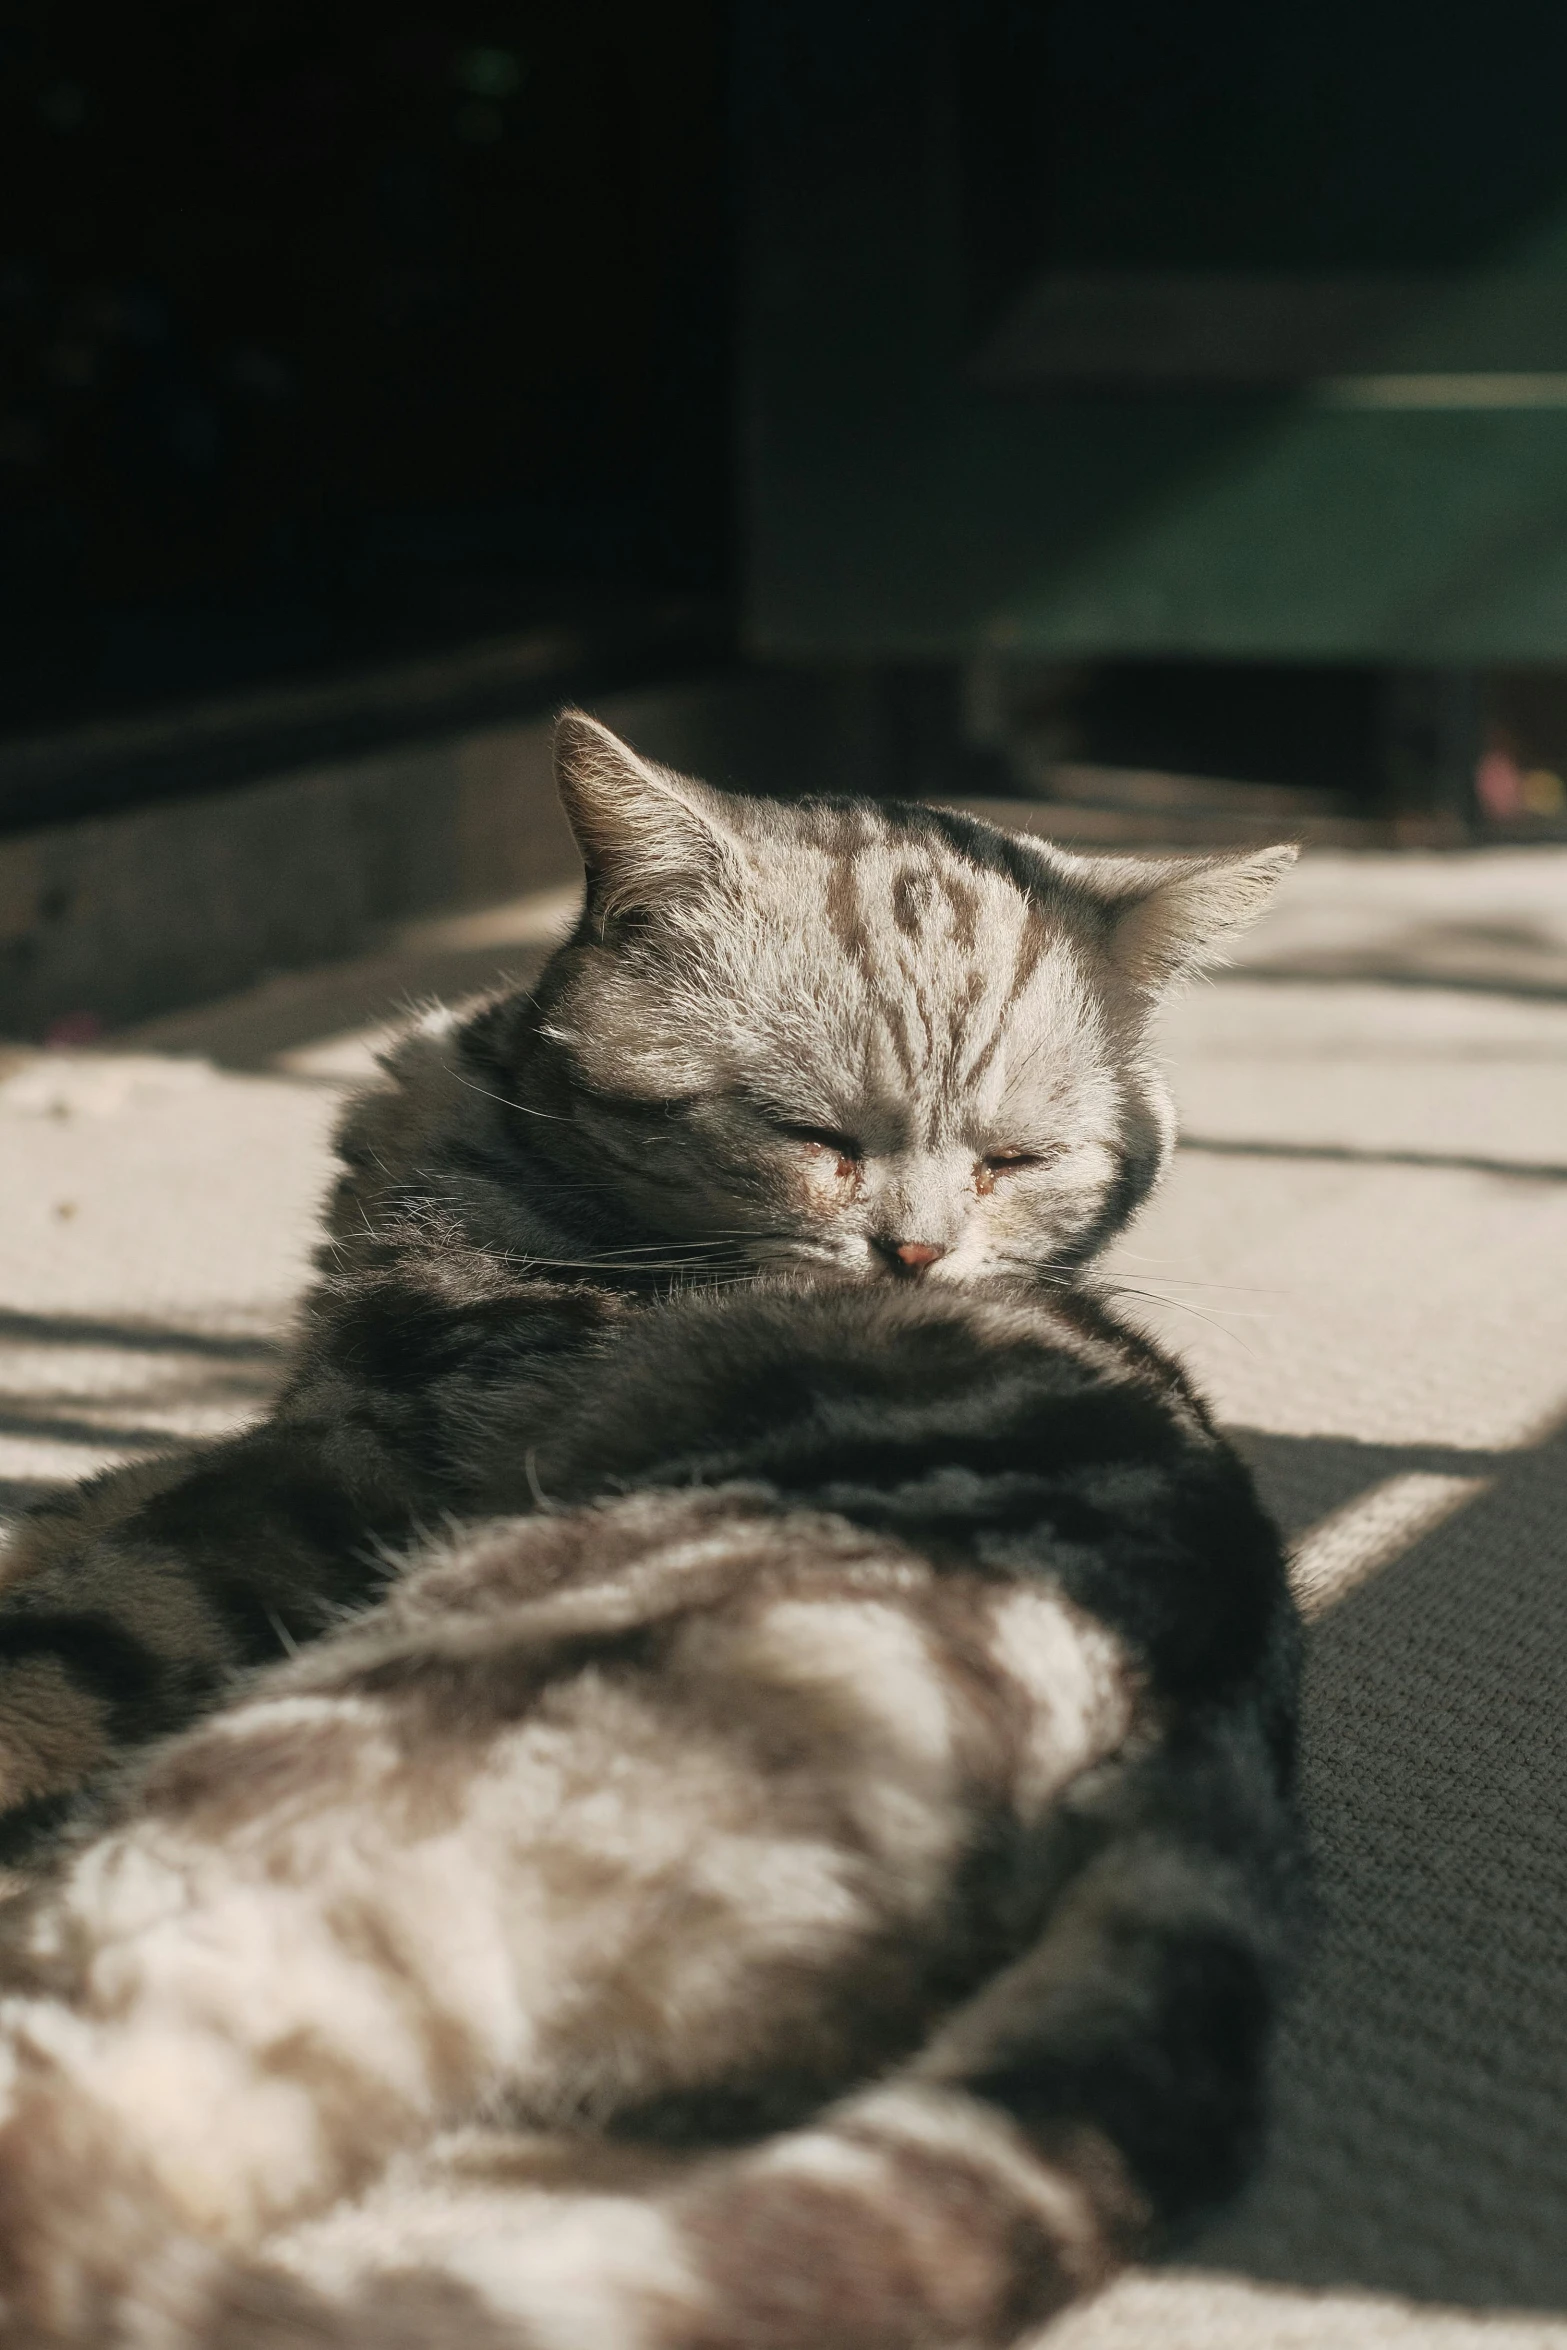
(875, 1038)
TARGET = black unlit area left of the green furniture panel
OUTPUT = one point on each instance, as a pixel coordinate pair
(330, 333)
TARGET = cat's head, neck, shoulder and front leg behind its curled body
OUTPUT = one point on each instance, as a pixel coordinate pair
(870, 1038)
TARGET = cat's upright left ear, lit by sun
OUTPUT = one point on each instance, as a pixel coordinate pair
(645, 833)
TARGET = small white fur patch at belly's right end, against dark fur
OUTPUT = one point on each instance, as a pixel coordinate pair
(1077, 1679)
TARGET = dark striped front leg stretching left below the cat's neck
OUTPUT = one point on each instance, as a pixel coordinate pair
(130, 1604)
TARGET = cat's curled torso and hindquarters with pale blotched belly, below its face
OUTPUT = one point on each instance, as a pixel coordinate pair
(816, 1879)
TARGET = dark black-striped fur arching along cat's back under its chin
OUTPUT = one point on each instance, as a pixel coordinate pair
(1023, 1437)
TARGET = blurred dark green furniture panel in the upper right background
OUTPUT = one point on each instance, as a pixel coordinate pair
(1108, 333)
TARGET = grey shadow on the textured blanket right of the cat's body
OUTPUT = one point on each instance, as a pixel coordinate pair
(1423, 2086)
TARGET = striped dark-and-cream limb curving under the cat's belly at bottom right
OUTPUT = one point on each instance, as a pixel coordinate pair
(1084, 2107)
